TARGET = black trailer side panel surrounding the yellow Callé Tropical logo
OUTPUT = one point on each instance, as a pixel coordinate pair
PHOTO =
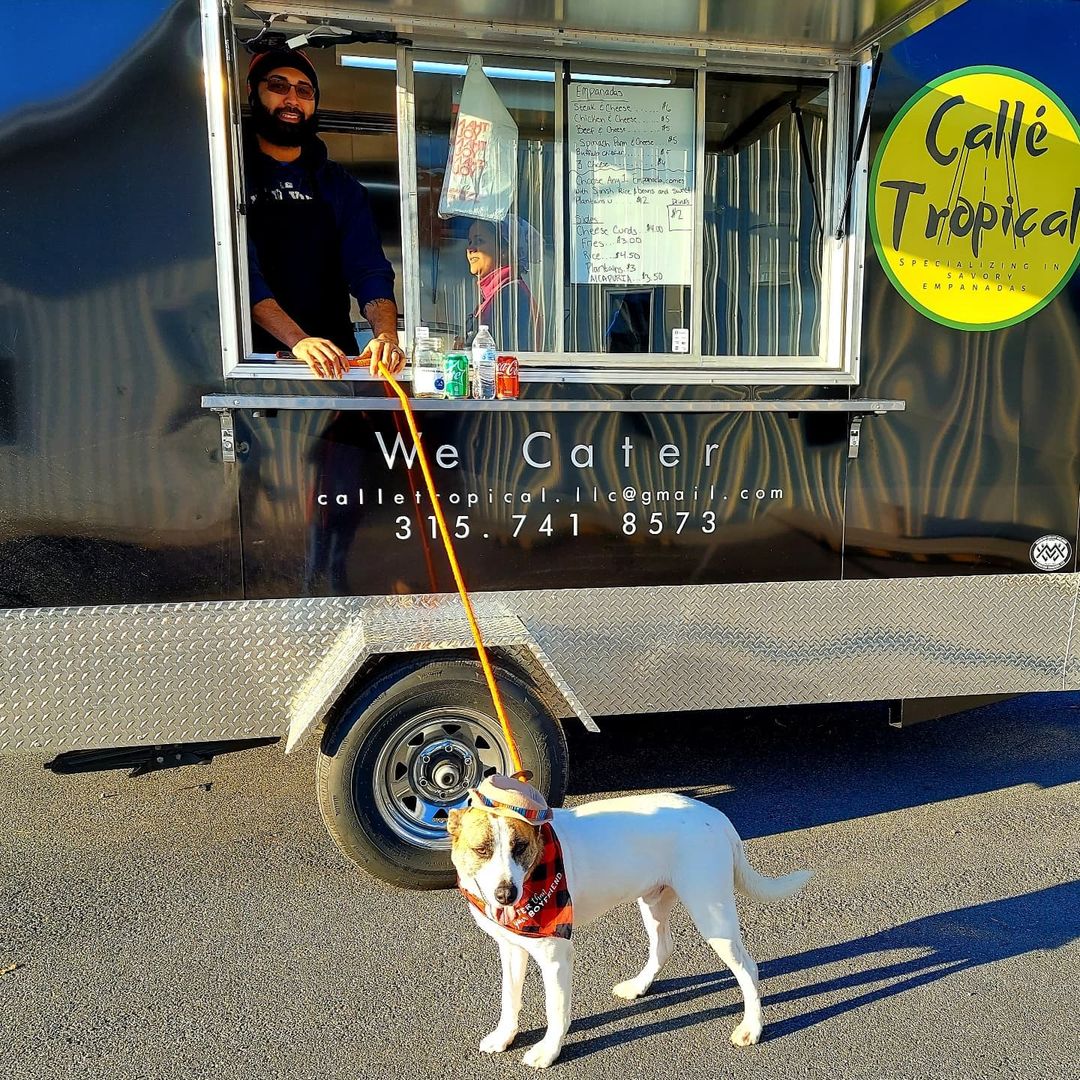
(987, 458)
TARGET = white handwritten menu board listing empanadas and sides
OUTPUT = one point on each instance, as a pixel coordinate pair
(632, 160)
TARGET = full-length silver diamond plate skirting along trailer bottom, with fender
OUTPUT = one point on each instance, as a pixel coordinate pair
(113, 677)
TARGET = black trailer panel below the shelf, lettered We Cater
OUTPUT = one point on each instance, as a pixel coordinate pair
(541, 501)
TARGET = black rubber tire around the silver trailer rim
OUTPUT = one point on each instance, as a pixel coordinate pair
(345, 766)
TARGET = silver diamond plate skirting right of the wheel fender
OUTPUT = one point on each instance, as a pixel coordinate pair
(640, 651)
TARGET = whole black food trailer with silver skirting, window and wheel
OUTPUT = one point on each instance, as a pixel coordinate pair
(800, 408)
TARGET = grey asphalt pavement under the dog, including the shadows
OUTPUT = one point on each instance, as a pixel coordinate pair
(199, 924)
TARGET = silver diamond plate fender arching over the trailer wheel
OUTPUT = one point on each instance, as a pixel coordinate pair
(423, 625)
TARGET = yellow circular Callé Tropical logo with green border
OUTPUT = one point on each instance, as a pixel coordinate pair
(975, 198)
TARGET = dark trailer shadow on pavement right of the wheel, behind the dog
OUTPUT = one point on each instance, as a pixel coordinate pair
(773, 771)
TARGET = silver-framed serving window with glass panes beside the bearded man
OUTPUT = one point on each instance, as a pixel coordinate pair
(652, 223)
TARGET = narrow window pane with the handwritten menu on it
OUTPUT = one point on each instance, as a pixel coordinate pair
(631, 138)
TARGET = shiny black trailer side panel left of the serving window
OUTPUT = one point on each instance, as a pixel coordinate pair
(112, 487)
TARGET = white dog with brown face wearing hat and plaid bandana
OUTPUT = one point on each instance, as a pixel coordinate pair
(528, 895)
